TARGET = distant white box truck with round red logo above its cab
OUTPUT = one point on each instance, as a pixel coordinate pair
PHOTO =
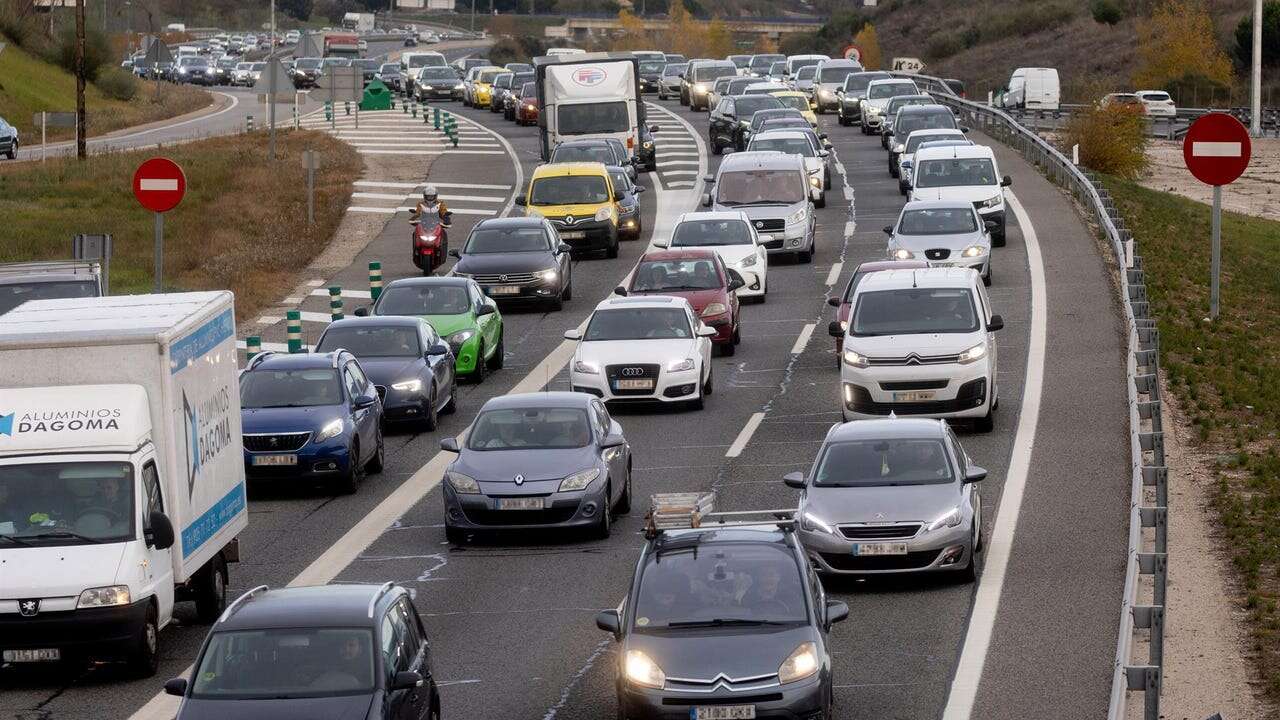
(589, 95)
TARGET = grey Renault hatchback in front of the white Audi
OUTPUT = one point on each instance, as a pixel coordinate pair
(538, 461)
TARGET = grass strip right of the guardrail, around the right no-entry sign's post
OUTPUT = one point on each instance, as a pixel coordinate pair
(1227, 376)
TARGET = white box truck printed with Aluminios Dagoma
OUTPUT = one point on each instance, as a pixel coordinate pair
(122, 476)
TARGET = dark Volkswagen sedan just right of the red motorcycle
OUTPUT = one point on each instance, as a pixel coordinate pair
(518, 259)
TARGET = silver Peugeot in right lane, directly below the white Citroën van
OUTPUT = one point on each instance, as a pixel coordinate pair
(892, 495)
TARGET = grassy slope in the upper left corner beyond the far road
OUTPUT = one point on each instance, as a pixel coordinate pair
(30, 85)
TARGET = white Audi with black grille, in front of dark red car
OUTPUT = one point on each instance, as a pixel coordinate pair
(643, 349)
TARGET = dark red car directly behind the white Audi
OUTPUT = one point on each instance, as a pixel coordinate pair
(701, 277)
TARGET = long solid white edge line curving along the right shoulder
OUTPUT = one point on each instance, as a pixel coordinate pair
(982, 621)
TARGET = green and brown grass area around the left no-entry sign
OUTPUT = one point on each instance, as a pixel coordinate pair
(241, 226)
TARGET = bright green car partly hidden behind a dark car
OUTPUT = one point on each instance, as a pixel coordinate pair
(459, 311)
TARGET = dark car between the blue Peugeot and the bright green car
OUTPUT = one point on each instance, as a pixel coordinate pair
(410, 366)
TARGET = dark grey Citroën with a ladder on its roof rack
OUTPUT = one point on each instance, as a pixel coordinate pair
(723, 621)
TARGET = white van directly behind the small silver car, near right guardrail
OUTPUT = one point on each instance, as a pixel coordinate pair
(967, 174)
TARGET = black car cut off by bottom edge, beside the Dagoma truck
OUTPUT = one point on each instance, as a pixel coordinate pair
(318, 653)
